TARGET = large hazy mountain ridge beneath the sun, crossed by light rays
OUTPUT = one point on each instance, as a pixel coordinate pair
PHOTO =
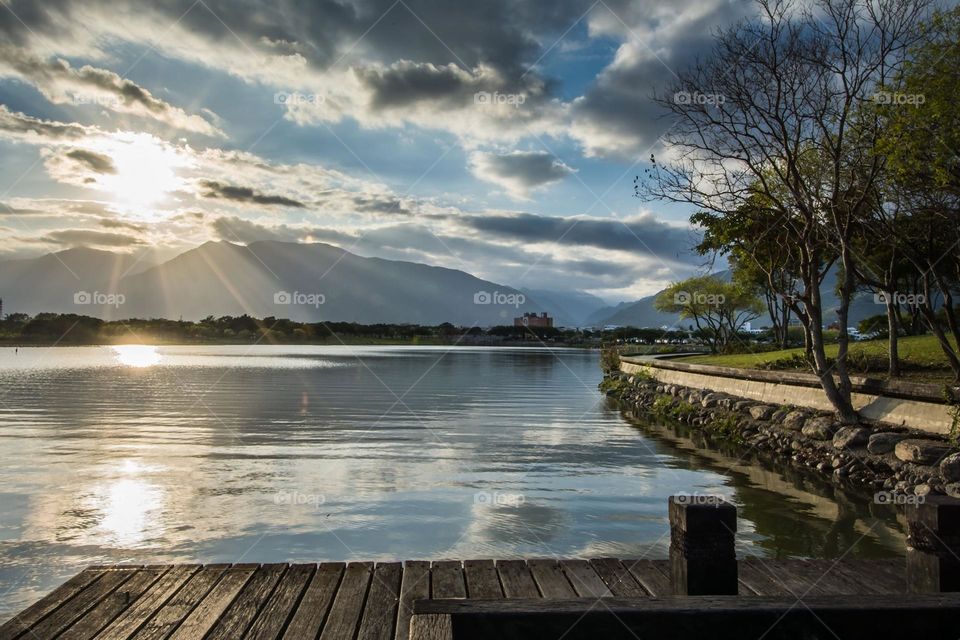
(304, 282)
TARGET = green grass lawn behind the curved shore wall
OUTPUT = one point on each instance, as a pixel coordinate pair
(921, 359)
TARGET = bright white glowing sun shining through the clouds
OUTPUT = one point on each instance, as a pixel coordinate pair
(145, 171)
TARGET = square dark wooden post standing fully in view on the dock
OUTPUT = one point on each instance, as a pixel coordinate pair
(703, 561)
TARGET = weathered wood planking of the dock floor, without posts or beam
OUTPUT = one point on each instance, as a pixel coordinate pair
(375, 601)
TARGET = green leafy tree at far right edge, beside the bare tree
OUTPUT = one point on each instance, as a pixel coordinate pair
(920, 144)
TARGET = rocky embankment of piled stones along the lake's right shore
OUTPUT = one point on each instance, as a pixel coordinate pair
(893, 463)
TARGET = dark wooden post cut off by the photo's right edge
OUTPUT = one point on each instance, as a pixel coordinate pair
(933, 545)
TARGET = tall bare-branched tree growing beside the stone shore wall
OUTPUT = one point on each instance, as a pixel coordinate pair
(773, 117)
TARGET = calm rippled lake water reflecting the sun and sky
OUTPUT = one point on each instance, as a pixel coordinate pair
(232, 453)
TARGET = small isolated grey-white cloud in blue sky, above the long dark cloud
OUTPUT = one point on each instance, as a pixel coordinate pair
(519, 172)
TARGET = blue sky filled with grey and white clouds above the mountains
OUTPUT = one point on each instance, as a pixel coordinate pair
(499, 137)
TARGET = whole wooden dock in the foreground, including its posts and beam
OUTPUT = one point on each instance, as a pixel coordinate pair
(703, 586)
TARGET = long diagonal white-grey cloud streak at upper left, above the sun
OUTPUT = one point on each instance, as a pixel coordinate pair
(61, 83)
